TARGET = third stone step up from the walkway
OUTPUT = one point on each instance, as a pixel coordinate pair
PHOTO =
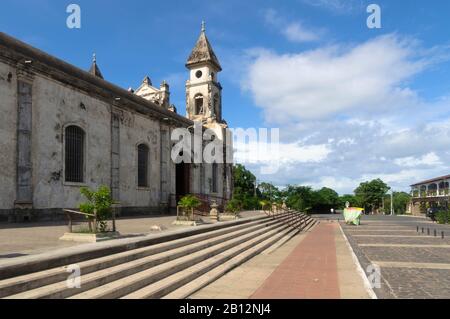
(147, 277)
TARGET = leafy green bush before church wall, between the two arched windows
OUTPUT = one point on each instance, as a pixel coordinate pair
(99, 201)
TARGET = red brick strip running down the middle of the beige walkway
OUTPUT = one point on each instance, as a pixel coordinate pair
(309, 272)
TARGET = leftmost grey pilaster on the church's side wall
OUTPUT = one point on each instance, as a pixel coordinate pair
(24, 169)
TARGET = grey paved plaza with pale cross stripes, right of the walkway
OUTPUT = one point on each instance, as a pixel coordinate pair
(413, 265)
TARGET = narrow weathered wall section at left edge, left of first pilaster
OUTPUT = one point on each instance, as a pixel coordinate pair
(8, 133)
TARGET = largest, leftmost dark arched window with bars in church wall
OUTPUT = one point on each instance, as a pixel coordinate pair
(74, 154)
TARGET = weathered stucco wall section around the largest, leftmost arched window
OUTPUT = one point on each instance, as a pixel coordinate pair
(54, 108)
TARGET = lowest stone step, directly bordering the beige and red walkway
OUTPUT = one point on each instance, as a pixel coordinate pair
(208, 278)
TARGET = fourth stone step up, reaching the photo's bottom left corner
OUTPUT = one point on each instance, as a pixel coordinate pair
(104, 276)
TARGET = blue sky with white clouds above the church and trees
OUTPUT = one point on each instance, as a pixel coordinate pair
(351, 103)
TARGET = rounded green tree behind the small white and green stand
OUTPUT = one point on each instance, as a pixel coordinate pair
(370, 194)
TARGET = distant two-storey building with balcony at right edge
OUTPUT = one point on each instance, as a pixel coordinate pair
(430, 193)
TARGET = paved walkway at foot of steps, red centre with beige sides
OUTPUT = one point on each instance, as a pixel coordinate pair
(316, 264)
